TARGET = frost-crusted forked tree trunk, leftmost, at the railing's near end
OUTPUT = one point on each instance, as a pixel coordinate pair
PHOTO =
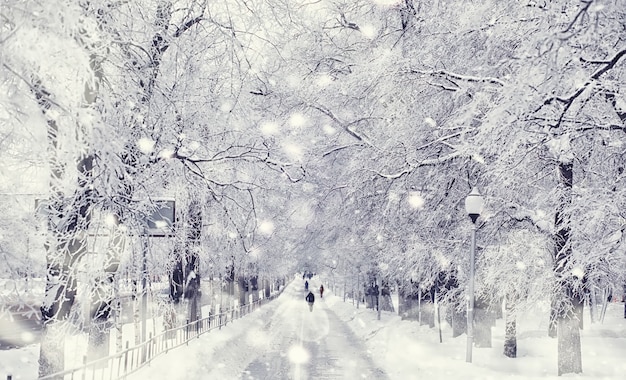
(68, 220)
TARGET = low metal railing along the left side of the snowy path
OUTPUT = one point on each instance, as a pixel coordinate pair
(131, 359)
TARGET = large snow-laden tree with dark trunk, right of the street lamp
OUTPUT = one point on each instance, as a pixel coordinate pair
(548, 133)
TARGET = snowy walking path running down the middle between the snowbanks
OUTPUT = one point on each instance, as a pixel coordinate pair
(311, 345)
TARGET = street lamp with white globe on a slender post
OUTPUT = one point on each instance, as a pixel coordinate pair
(473, 206)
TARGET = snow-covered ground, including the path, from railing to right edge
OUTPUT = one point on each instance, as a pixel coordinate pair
(284, 340)
